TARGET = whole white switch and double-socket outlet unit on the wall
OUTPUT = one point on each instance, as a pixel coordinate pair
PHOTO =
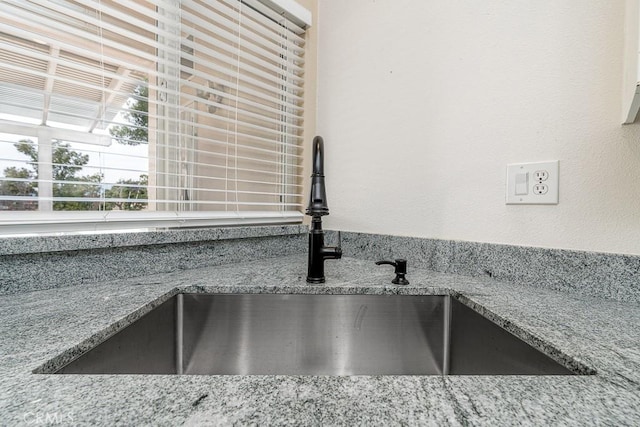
(532, 183)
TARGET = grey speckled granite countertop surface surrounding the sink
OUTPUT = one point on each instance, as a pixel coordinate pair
(593, 333)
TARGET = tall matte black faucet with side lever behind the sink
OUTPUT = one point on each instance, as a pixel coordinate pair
(317, 208)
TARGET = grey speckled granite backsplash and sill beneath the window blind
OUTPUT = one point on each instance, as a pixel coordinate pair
(45, 262)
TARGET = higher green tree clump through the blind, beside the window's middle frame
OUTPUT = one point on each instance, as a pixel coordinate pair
(136, 133)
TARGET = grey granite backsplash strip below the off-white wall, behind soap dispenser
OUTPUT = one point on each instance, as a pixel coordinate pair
(601, 275)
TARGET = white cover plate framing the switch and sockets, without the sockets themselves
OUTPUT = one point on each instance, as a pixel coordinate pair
(549, 198)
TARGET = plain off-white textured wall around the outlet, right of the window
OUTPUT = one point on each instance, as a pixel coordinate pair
(423, 103)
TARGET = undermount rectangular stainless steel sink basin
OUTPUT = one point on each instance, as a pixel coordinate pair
(314, 335)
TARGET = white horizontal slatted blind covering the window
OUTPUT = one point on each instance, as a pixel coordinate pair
(126, 109)
